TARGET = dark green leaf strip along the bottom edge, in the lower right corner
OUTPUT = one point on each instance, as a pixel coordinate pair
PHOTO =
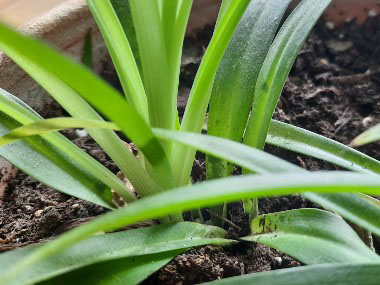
(327, 274)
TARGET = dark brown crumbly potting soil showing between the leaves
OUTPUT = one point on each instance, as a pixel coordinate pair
(333, 90)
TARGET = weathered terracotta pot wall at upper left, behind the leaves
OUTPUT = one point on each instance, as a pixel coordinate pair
(65, 27)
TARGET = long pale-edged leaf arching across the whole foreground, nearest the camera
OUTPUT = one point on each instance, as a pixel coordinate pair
(200, 195)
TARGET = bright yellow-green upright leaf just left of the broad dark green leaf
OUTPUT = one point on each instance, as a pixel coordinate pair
(182, 157)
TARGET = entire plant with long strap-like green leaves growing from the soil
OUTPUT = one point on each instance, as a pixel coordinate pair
(240, 78)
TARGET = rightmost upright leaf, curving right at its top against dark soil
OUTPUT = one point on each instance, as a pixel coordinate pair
(277, 65)
